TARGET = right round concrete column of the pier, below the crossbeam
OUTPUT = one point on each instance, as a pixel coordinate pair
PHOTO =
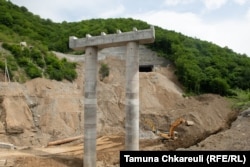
(132, 96)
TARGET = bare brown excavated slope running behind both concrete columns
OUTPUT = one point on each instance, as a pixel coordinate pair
(42, 110)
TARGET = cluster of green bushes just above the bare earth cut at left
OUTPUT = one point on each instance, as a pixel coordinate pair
(33, 61)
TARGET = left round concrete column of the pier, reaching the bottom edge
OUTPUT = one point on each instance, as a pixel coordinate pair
(90, 107)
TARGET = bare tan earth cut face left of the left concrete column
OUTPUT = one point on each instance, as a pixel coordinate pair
(38, 111)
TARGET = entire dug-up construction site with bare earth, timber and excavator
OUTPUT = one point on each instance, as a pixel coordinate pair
(41, 121)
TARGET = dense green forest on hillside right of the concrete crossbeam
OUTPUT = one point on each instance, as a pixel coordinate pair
(202, 66)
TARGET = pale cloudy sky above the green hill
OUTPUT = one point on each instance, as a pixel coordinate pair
(223, 22)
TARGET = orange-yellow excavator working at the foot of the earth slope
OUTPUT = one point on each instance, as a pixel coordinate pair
(166, 136)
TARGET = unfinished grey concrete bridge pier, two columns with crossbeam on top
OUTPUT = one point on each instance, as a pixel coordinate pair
(91, 45)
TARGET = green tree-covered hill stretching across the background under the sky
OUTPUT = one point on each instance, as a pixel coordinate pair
(201, 66)
